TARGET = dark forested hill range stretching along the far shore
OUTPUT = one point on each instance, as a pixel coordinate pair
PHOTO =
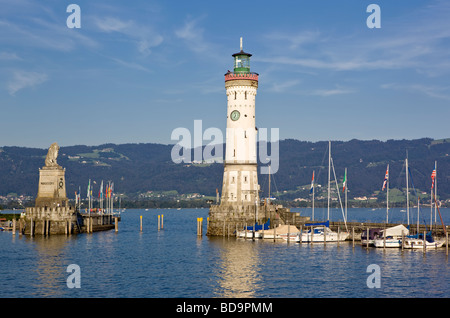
(139, 168)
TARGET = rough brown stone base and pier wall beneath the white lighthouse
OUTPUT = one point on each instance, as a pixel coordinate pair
(224, 219)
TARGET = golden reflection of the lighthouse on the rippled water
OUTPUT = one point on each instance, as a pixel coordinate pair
(238, 268)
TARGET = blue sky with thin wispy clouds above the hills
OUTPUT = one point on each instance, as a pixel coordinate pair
(136, 70)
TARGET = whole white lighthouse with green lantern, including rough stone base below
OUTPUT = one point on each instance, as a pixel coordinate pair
(239, 203)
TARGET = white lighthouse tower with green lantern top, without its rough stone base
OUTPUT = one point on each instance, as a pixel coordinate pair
(240, 179)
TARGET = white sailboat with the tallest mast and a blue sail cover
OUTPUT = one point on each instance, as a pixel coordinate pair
(321, 232)
